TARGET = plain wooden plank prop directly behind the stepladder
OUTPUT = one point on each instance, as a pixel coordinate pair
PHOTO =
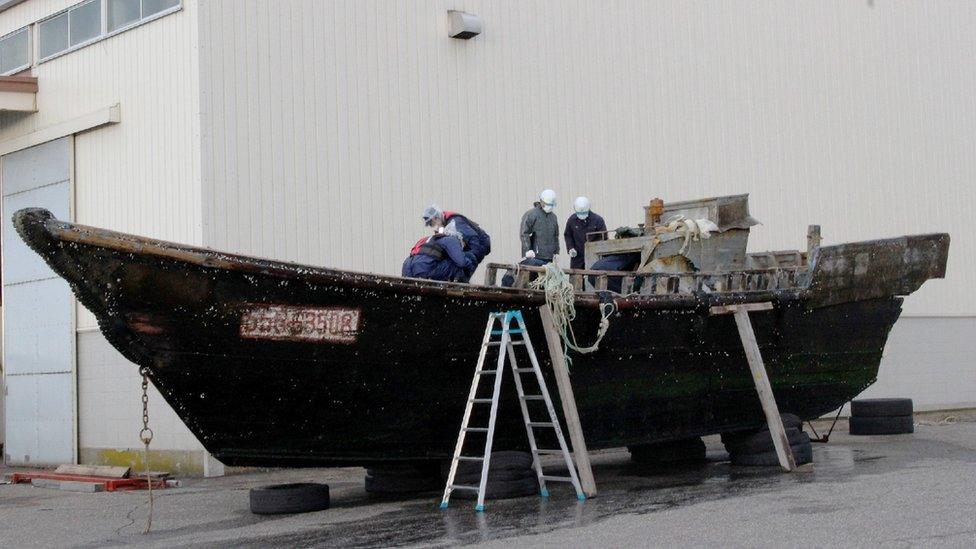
(569, 402)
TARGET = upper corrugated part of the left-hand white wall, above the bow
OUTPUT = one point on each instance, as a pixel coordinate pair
(143, 175)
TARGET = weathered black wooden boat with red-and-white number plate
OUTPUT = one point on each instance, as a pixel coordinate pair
(272, 363)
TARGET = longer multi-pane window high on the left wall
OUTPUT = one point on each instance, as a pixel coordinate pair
(83, 23)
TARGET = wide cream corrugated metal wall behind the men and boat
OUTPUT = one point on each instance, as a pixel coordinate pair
(327, 126)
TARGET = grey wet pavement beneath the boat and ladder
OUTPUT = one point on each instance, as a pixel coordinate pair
(899, 491)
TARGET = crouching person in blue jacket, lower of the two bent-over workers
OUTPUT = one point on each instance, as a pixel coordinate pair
(440, 257)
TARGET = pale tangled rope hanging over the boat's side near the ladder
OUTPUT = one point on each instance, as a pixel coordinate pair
(561, 298)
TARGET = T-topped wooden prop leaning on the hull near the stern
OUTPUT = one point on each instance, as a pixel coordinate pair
(760, 378)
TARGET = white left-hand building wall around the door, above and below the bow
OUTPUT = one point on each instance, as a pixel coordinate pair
(141, 175)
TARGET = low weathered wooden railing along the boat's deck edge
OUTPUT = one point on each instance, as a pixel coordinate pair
(656, 283)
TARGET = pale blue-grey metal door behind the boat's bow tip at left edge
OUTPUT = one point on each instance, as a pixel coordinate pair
(38, 324)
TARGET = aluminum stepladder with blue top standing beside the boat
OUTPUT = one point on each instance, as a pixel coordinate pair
(502, 339)
